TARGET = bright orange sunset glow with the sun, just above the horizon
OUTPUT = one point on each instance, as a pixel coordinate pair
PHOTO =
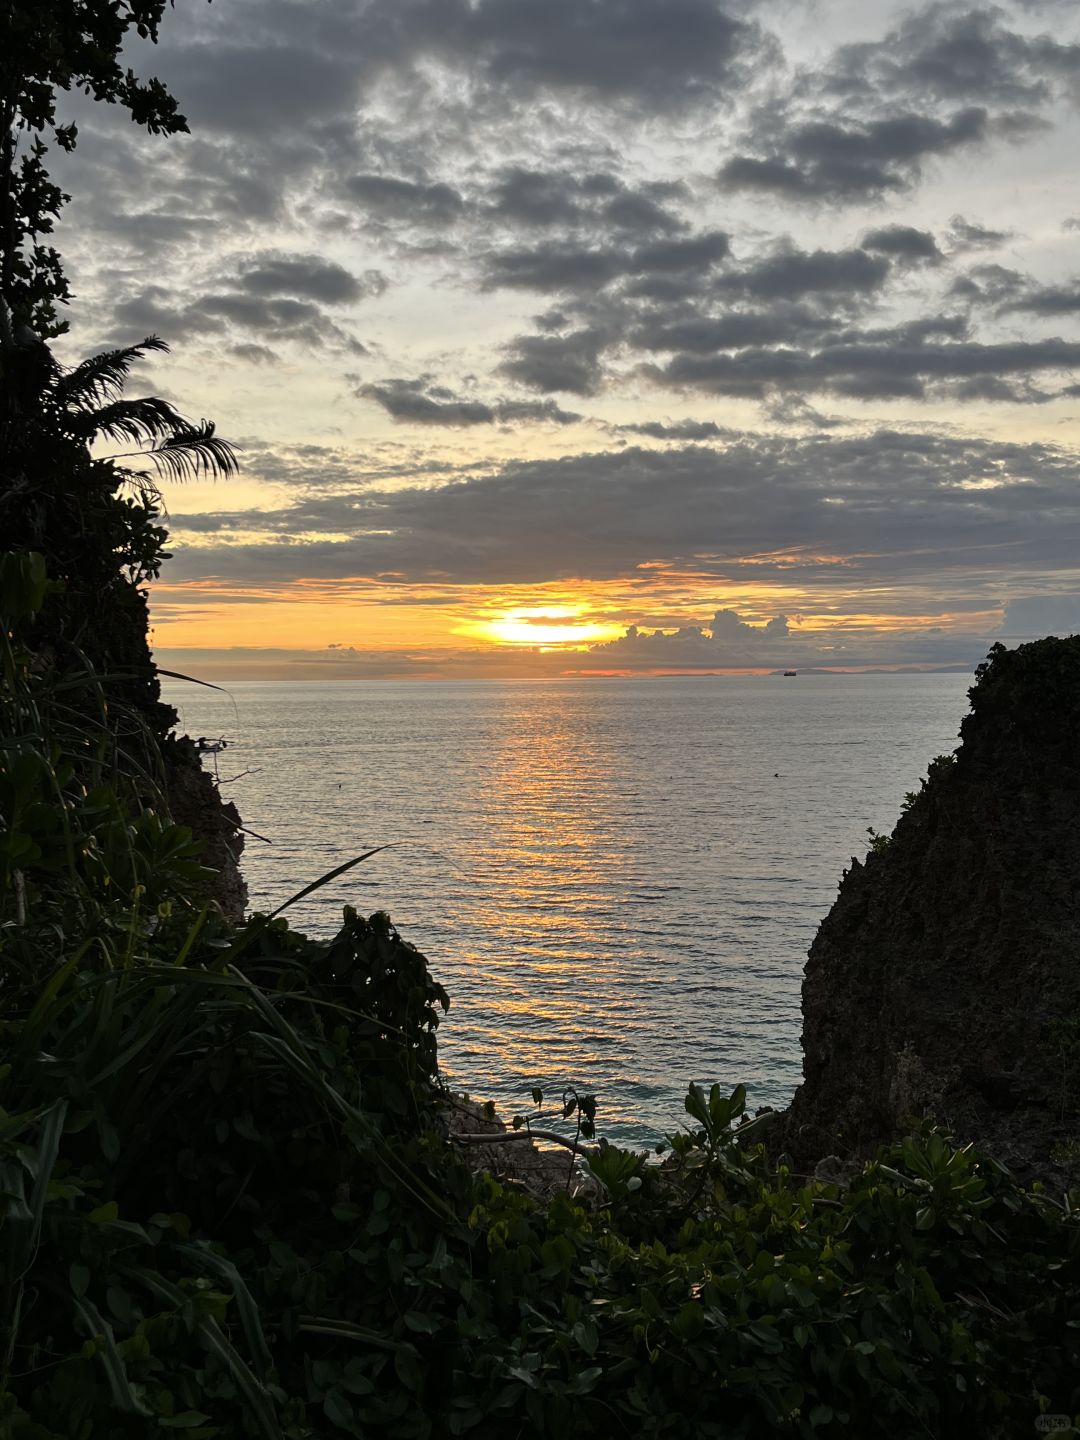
(545, 630)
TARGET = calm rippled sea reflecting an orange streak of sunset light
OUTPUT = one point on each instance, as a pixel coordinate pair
(617, 881)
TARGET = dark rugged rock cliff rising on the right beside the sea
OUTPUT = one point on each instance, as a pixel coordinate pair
(945, 981)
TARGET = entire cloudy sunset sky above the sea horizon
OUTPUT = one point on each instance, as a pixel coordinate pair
(575, 338)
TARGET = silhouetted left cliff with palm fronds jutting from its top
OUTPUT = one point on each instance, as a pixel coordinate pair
(96, 523)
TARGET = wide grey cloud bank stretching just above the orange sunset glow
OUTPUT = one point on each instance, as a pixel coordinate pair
(888, 508)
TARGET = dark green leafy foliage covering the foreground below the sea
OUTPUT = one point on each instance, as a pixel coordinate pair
(228, 1206)
